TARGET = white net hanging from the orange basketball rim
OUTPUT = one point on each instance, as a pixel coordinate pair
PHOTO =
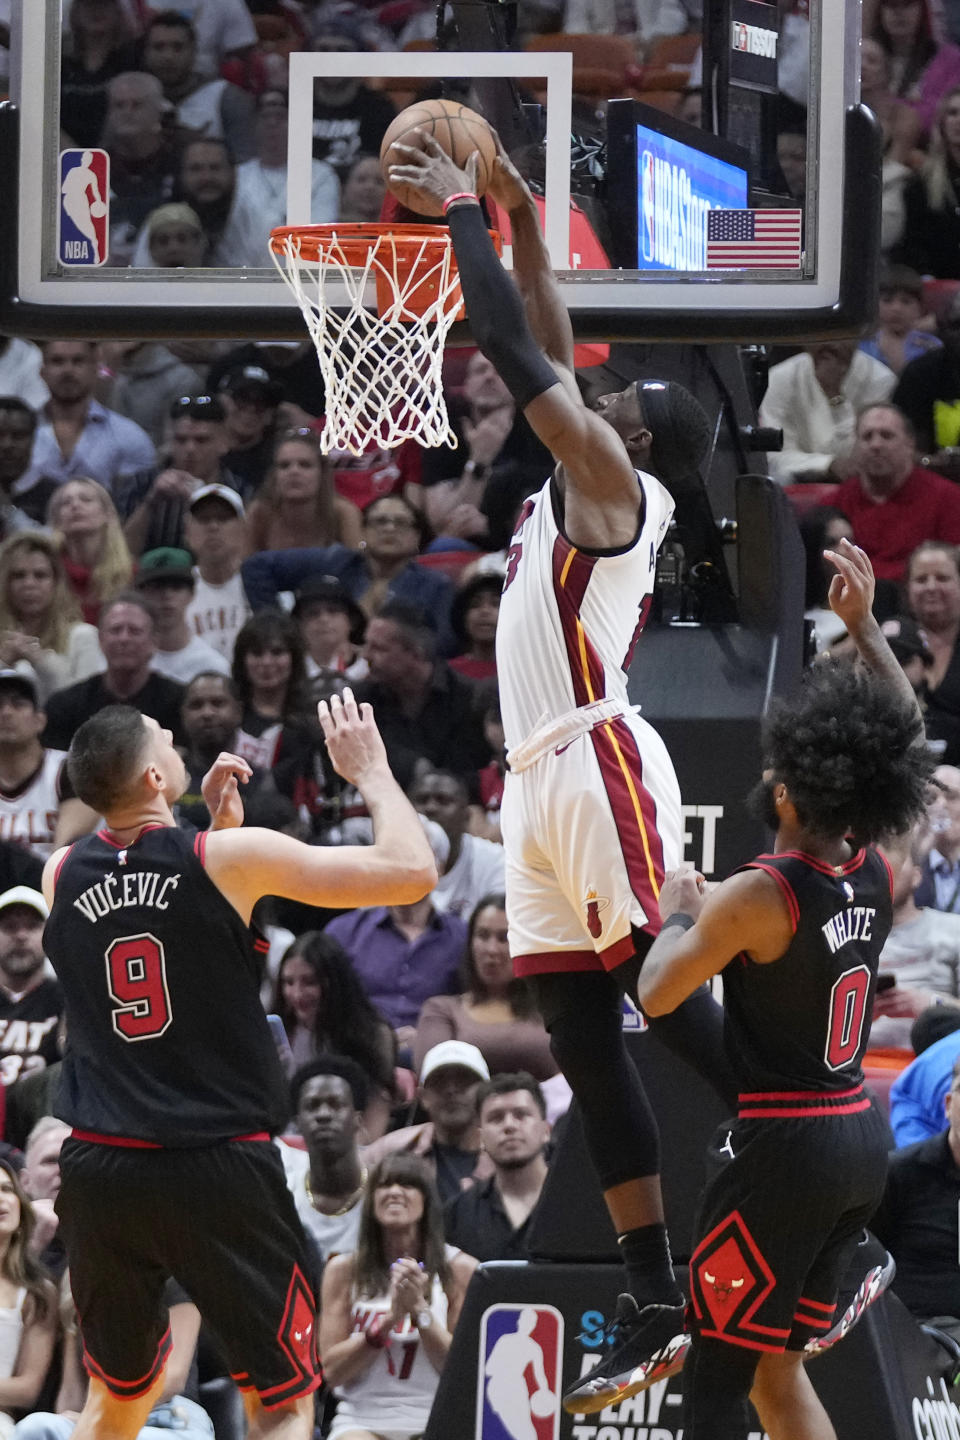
(382, 372)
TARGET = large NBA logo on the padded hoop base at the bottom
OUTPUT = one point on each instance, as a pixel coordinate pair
(520, 1373)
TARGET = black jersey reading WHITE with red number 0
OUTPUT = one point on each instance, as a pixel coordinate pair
(802, 1023)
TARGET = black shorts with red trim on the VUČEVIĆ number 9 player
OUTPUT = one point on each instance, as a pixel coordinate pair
(219, 1220)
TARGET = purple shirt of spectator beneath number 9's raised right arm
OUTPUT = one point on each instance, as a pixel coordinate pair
(404, 955)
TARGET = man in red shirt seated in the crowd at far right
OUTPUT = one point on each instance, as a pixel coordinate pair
(892, 502)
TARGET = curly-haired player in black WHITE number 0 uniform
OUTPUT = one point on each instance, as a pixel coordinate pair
(798, 935)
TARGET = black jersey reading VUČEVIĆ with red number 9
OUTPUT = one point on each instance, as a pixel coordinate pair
(168, 1040)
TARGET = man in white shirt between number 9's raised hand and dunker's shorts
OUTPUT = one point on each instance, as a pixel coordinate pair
(474, 866)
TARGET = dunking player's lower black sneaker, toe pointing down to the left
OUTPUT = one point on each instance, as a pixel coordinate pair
(644, 1346)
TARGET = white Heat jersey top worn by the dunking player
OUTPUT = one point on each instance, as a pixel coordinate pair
(569, 618)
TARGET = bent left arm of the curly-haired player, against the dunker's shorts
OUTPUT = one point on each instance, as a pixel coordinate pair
(705, 931)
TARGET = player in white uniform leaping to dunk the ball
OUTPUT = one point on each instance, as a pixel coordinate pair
(592, 814)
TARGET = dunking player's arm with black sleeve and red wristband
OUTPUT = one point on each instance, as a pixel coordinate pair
(592, 454)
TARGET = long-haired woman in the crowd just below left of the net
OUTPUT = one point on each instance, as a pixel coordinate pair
(299, 506)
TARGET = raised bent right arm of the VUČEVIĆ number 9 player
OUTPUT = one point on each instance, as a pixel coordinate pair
(398, 869)
